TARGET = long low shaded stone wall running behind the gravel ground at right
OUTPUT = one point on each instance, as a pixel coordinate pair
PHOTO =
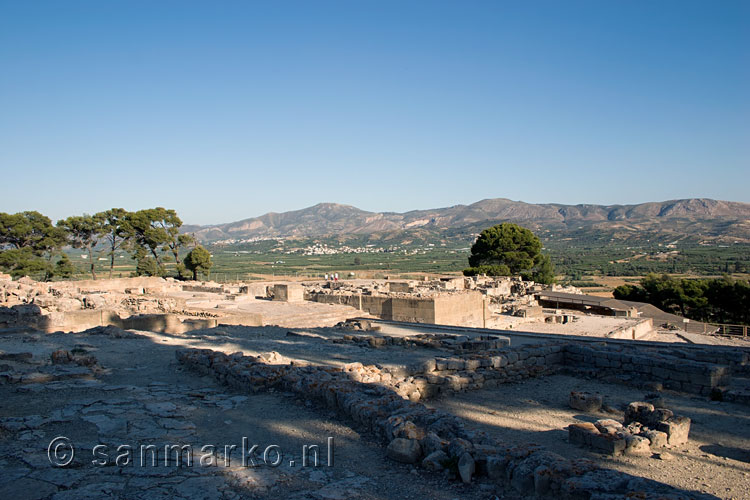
(692, 370)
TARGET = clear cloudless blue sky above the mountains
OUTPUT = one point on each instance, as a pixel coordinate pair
(224, 110)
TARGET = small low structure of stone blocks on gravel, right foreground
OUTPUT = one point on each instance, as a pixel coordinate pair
(645, 429)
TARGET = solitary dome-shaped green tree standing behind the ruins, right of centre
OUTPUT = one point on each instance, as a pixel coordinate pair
(507, 249)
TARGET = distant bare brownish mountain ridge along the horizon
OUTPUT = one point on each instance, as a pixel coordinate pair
(699, 217)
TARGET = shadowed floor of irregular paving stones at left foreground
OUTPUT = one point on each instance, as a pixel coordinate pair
(139, 396)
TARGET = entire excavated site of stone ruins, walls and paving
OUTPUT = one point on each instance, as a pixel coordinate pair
(457, 388)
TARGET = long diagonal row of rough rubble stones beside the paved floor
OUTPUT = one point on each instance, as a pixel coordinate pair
(419, 435)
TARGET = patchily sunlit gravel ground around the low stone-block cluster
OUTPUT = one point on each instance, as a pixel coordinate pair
(716, 460)
